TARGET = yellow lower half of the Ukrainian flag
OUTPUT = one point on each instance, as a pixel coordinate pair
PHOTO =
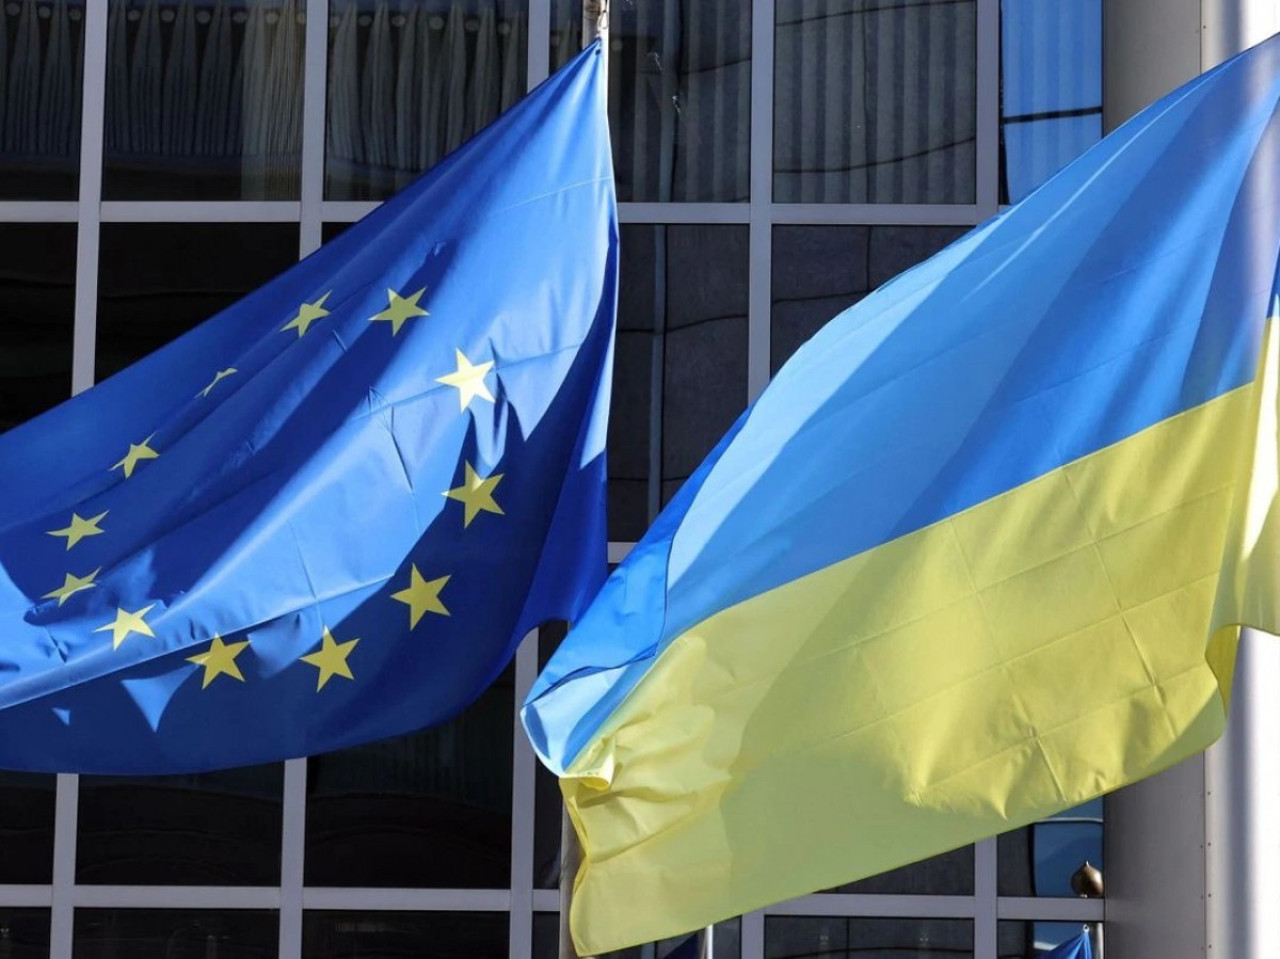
(1012, 661)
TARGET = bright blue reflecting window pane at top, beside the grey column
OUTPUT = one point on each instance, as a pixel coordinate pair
(1052, 89)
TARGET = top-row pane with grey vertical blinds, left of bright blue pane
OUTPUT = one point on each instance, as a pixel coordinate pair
(876, 103)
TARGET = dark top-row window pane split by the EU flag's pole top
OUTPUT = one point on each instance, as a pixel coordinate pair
(680, 95)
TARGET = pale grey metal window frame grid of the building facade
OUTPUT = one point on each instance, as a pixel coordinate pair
(761, 214)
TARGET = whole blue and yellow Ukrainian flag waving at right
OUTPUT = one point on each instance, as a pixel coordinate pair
(980, 554)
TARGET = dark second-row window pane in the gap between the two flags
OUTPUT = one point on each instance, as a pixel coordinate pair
(680, 375)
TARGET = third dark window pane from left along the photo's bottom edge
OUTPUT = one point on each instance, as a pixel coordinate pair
(365, 935)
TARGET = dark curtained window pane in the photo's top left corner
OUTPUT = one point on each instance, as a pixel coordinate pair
(42, 79)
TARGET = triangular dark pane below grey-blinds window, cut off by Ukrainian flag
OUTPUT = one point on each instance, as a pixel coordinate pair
(819, 272)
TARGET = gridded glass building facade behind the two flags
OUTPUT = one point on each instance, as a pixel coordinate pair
(776, 161)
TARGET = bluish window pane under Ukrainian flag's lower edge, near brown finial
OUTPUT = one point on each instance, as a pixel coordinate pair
(1040, 860)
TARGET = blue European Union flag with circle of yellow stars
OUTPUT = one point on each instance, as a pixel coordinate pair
(330, 514)
